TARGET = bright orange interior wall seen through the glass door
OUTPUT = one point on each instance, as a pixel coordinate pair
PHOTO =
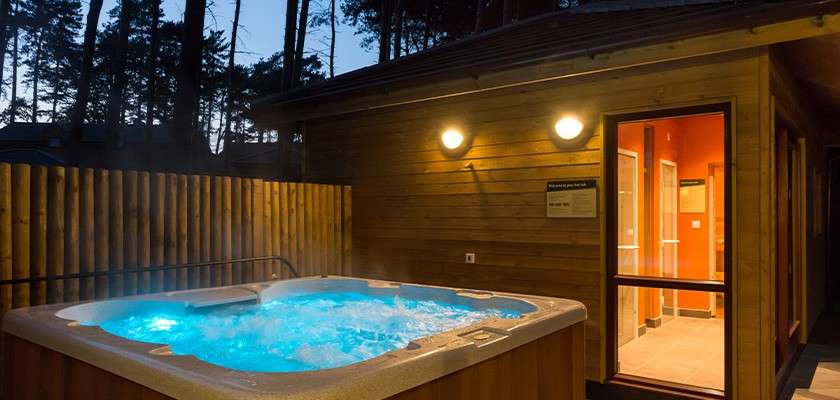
(692, 143)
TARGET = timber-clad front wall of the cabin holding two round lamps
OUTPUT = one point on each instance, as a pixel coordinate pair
(416, 212)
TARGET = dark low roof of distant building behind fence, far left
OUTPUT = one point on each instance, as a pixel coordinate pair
(91, 133)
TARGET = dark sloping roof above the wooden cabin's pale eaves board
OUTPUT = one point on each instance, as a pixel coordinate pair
(587, 30)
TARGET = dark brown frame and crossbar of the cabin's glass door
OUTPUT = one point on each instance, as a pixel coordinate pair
(614, 279)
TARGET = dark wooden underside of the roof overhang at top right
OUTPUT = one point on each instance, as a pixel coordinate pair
(815, 63)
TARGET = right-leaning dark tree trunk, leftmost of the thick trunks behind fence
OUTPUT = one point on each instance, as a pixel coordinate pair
(83, 91)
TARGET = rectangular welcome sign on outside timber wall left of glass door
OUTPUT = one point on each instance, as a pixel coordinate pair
(572, 199)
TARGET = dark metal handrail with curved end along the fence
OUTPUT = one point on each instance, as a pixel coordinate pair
(136, 270)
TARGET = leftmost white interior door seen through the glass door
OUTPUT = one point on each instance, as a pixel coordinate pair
(628, 243)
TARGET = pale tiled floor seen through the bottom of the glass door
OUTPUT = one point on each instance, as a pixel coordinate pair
(684, 350)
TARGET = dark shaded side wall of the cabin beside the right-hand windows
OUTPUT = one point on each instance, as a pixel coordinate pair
(792, 105)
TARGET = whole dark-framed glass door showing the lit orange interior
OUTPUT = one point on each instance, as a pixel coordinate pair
(669, 277)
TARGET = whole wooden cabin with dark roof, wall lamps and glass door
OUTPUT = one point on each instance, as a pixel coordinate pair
(707, 129)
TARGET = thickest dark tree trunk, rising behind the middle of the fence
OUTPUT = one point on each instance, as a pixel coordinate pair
(189, 76)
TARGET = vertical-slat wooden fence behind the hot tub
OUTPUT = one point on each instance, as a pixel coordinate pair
(65, 220)
